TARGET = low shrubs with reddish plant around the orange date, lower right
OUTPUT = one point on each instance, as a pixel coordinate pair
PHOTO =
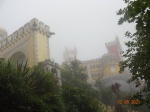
(110, 96)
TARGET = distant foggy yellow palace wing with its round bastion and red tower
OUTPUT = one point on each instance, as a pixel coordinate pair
(107, 65)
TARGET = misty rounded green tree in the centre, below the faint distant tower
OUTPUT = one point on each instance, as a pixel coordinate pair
(78, 95)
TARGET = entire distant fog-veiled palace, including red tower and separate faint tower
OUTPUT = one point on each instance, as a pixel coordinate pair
(105, 68)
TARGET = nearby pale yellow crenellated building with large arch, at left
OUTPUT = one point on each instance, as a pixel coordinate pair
(30, 42)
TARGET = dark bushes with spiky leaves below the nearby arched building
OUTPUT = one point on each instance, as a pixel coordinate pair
(26, 89)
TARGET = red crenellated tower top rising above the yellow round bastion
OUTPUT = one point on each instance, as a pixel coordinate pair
(115, 48)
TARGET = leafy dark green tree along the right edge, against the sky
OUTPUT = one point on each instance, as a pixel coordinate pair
(137, 55)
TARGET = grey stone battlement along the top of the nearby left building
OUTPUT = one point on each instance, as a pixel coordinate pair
(33, 25)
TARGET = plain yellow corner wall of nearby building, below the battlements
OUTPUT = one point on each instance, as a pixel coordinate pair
(38, 48)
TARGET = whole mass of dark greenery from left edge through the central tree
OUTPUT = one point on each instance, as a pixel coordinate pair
(32, 90)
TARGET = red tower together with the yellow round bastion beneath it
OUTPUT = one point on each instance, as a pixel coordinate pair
(110, 61)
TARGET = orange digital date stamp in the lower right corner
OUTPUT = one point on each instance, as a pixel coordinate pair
(129, 102)
